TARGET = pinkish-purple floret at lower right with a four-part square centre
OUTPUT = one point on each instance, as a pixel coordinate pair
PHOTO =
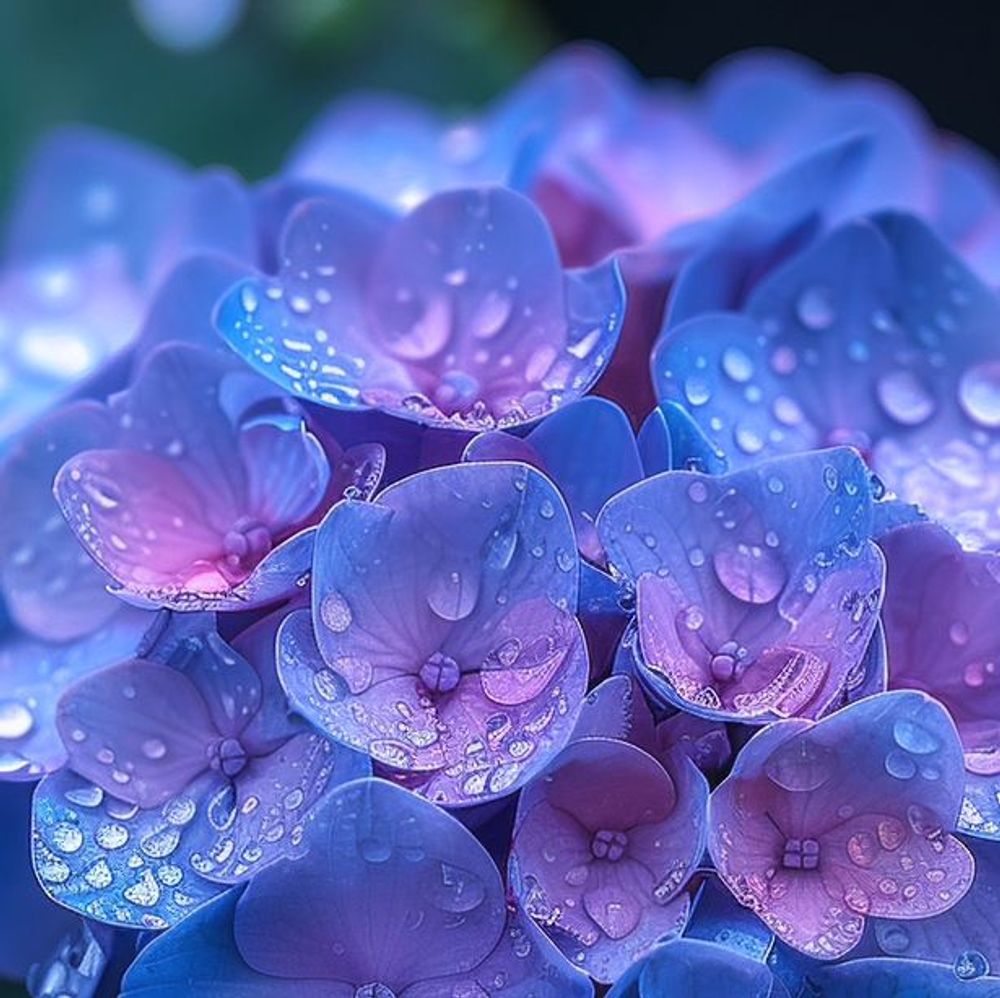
(822, 824)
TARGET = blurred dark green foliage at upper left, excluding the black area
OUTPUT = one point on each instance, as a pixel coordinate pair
(244, 99)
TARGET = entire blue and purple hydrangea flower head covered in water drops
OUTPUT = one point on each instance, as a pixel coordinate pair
(549, 553)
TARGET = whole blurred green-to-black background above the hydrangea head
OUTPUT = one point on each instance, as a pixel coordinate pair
(235, 81)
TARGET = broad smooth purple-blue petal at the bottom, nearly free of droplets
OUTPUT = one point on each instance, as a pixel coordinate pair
(392, 891)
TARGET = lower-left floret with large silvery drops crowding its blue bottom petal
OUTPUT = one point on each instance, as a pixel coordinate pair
(150, 815)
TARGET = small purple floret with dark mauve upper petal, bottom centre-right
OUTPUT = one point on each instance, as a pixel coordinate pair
(602, 845)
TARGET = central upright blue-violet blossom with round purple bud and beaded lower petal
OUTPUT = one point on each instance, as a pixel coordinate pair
(443, 640)
